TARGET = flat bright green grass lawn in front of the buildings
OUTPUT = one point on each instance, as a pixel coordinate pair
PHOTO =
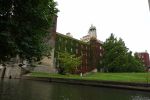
(120, 77)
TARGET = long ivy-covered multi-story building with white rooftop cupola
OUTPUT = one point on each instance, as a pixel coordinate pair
(90, 50)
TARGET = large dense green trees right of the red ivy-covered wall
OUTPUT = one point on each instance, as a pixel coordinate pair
(117, 58)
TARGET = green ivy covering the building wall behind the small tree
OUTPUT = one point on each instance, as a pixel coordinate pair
(70, 45)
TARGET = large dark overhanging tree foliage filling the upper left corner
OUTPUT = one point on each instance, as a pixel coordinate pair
(24, 25)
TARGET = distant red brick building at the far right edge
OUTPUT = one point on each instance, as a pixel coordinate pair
(144, 56)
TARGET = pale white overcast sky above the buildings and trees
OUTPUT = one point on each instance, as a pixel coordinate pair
(128, 19)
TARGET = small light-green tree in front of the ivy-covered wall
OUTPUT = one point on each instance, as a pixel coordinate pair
(68, 62)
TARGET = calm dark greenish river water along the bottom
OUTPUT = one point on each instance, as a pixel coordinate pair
(35, 90)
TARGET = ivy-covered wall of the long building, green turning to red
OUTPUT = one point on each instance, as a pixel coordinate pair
(90, 52)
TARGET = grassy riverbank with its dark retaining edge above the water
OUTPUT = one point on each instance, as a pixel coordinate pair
(89, 80)
